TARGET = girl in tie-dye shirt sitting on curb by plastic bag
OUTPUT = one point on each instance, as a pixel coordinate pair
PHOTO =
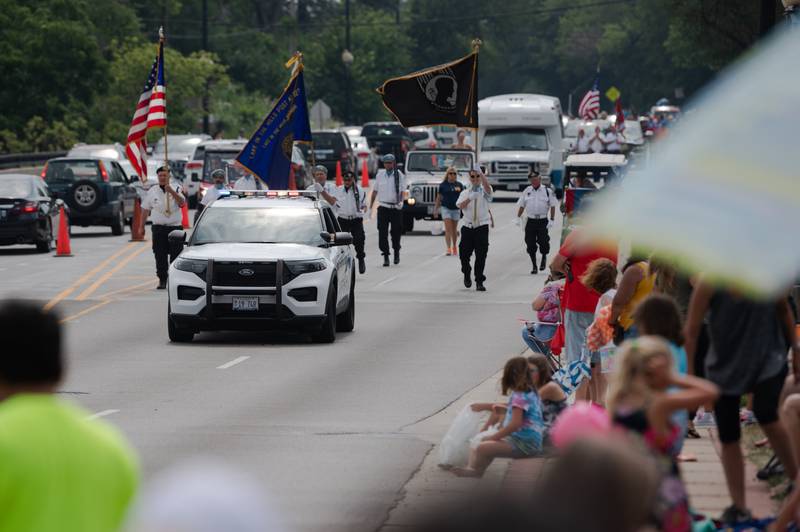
(523, 427)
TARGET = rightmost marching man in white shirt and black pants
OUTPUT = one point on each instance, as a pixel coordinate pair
(536, 203)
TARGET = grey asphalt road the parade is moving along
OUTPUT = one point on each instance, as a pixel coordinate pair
(319, 425)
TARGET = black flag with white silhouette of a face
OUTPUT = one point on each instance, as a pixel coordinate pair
(445, 94)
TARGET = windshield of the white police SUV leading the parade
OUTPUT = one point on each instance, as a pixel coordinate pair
(267, 225)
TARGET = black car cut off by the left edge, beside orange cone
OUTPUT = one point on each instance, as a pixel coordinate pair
(28, 215)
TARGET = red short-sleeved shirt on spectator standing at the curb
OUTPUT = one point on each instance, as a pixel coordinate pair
(577, 297)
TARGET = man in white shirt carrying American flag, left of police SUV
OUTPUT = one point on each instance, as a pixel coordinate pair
(164, 202)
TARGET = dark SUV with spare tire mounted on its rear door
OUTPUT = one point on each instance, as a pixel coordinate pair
(96, 189)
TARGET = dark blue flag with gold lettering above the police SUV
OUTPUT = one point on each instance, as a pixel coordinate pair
(268, 153)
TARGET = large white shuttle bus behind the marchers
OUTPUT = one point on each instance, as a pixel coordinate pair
(518, 131)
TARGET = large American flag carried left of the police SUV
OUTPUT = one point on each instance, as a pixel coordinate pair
(151, 112)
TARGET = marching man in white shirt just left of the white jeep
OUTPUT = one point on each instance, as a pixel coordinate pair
(390, 191)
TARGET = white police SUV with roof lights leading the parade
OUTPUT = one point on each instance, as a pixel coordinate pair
(260, 260)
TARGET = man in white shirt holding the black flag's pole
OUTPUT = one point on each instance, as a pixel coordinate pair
(474, 203)
